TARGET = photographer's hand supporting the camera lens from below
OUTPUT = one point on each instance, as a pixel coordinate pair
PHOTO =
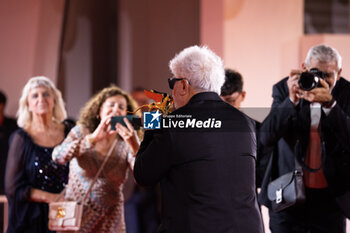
(318, 94)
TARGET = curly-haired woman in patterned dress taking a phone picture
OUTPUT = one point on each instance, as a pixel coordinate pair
(86, 146)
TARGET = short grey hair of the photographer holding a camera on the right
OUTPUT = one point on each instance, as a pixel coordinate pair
(323, 54)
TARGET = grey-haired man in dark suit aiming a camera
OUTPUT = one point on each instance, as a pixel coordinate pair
(309, 126)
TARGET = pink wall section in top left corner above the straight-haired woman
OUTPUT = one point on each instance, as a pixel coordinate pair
(18, 26)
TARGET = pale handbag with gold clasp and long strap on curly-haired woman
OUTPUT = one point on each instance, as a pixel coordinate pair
(67, 215)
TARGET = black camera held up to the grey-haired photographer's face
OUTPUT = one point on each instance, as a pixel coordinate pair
(310, 79)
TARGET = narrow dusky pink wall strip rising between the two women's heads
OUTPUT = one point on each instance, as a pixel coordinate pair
(77, 58)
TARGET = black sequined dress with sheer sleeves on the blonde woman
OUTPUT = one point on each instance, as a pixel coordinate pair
(30, 166)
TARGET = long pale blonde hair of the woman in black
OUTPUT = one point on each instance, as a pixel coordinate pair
(24, 116)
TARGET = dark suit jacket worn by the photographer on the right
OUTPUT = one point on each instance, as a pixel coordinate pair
(286, 124)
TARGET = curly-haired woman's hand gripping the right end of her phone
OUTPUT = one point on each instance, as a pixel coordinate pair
(129, 135)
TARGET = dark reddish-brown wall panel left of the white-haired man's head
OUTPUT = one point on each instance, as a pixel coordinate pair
(151, 33)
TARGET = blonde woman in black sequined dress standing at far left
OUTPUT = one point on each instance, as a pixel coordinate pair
(33, 179)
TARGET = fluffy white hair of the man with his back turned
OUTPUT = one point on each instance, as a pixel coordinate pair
(201, 67)
